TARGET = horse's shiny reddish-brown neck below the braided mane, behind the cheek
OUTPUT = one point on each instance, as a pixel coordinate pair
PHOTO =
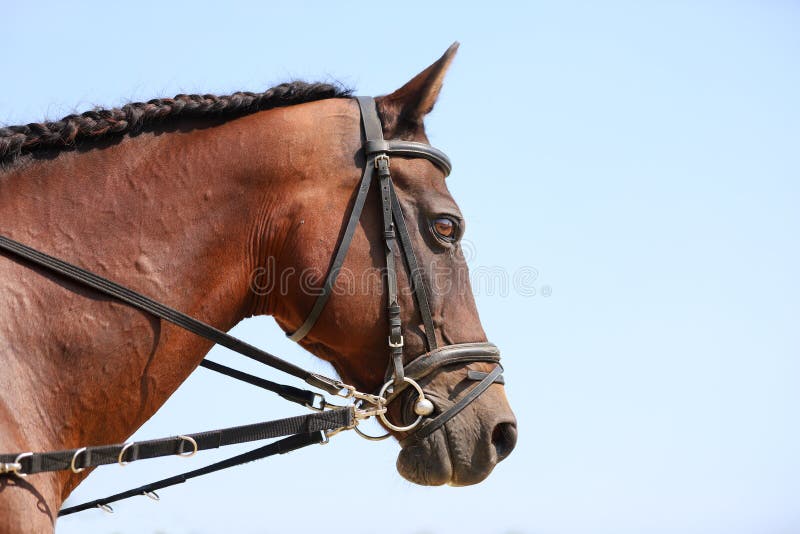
(173, 216)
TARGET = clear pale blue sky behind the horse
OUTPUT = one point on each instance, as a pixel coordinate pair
(642, 157)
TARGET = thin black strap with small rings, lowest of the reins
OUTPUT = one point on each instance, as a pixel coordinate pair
(283, 446)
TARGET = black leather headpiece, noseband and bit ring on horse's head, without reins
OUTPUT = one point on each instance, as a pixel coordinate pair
(399, 376)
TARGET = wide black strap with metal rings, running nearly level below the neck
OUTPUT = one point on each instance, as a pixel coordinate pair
(109, 454)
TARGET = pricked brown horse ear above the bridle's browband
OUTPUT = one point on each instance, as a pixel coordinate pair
(405, 109)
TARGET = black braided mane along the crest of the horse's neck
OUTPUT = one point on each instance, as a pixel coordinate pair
(160, 112)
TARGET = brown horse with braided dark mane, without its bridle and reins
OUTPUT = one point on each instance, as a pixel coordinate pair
(184, 200)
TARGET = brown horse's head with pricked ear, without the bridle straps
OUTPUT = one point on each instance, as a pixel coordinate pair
(351, 331)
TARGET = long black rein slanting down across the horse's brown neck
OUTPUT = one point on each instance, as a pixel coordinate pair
(139, 301)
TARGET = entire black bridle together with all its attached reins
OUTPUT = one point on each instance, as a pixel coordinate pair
(330, 418)
